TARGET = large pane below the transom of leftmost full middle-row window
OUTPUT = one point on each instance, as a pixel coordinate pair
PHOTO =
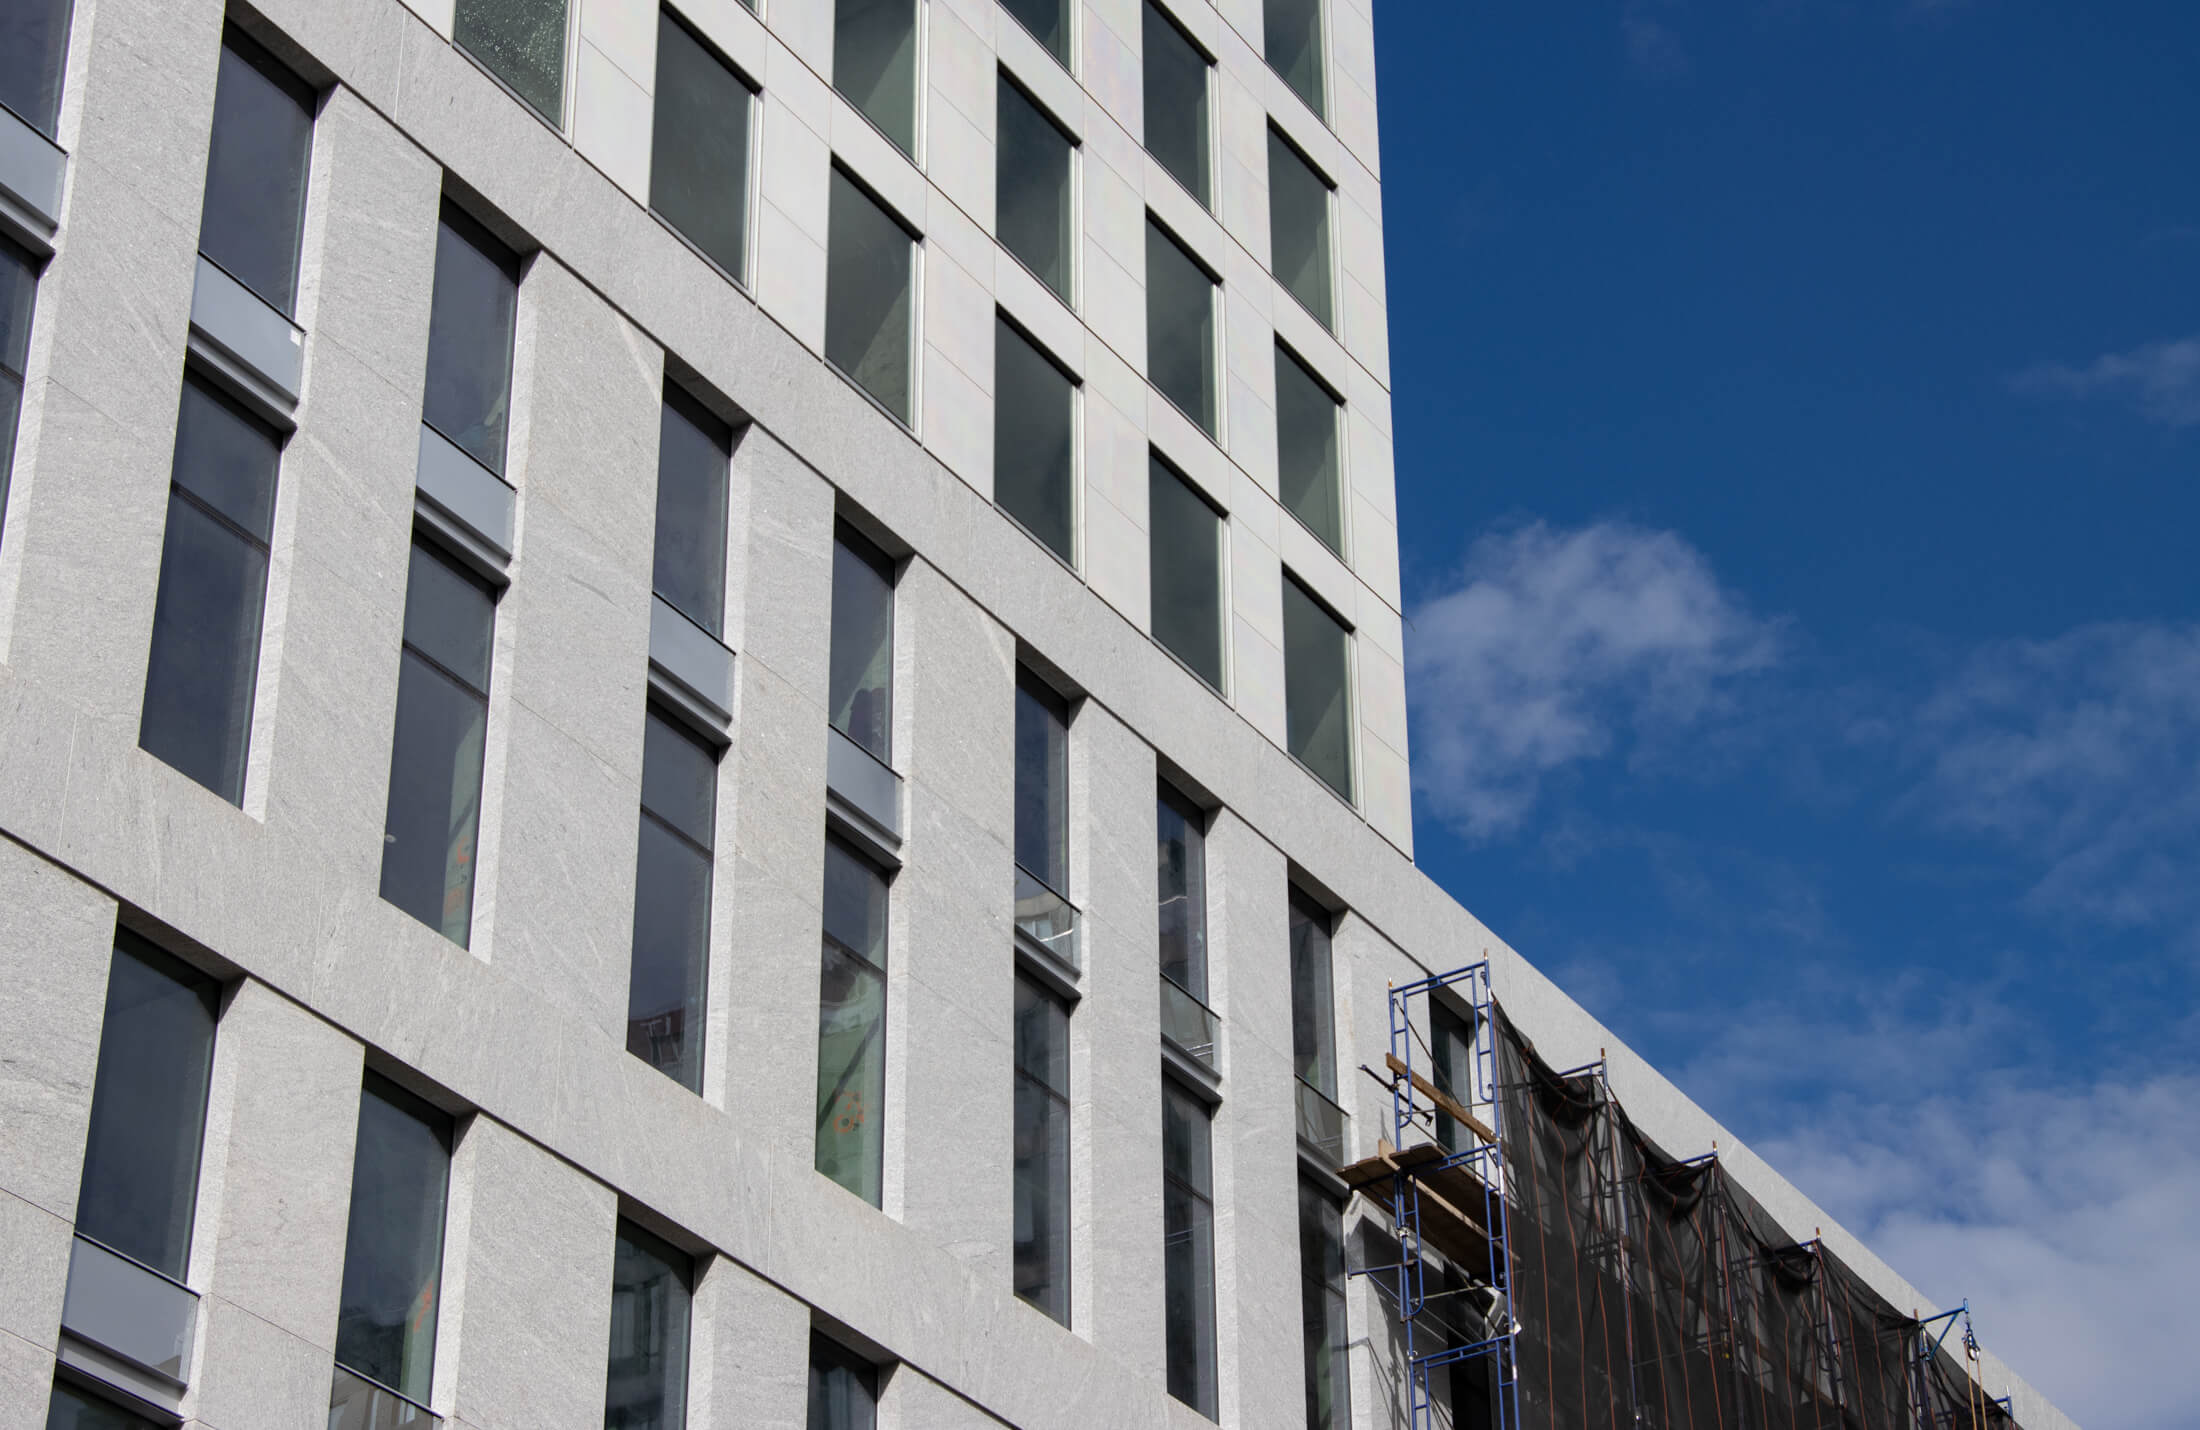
(206, 650)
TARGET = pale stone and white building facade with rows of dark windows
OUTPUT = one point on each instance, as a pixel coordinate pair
(703, 714)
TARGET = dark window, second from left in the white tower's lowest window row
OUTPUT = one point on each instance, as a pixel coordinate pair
(698, 148)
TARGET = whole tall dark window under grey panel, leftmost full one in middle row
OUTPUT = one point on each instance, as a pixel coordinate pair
(214, 571)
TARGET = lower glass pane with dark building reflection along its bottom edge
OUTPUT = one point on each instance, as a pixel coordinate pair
(672, 945)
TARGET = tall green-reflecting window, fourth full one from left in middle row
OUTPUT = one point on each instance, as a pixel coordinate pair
(852, 1024)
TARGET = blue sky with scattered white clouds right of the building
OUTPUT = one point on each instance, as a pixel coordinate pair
(1798, 441)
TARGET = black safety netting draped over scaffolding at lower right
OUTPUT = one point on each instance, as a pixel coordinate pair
(1658, 1295)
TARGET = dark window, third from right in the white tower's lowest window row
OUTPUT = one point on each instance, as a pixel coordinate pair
(1035, 463)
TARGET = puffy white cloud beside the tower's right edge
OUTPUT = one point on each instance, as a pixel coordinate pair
(1550, 646)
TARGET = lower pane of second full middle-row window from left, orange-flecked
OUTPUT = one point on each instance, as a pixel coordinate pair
(434, 800)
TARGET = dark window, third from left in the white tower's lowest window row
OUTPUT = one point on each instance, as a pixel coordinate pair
(870, 278)
